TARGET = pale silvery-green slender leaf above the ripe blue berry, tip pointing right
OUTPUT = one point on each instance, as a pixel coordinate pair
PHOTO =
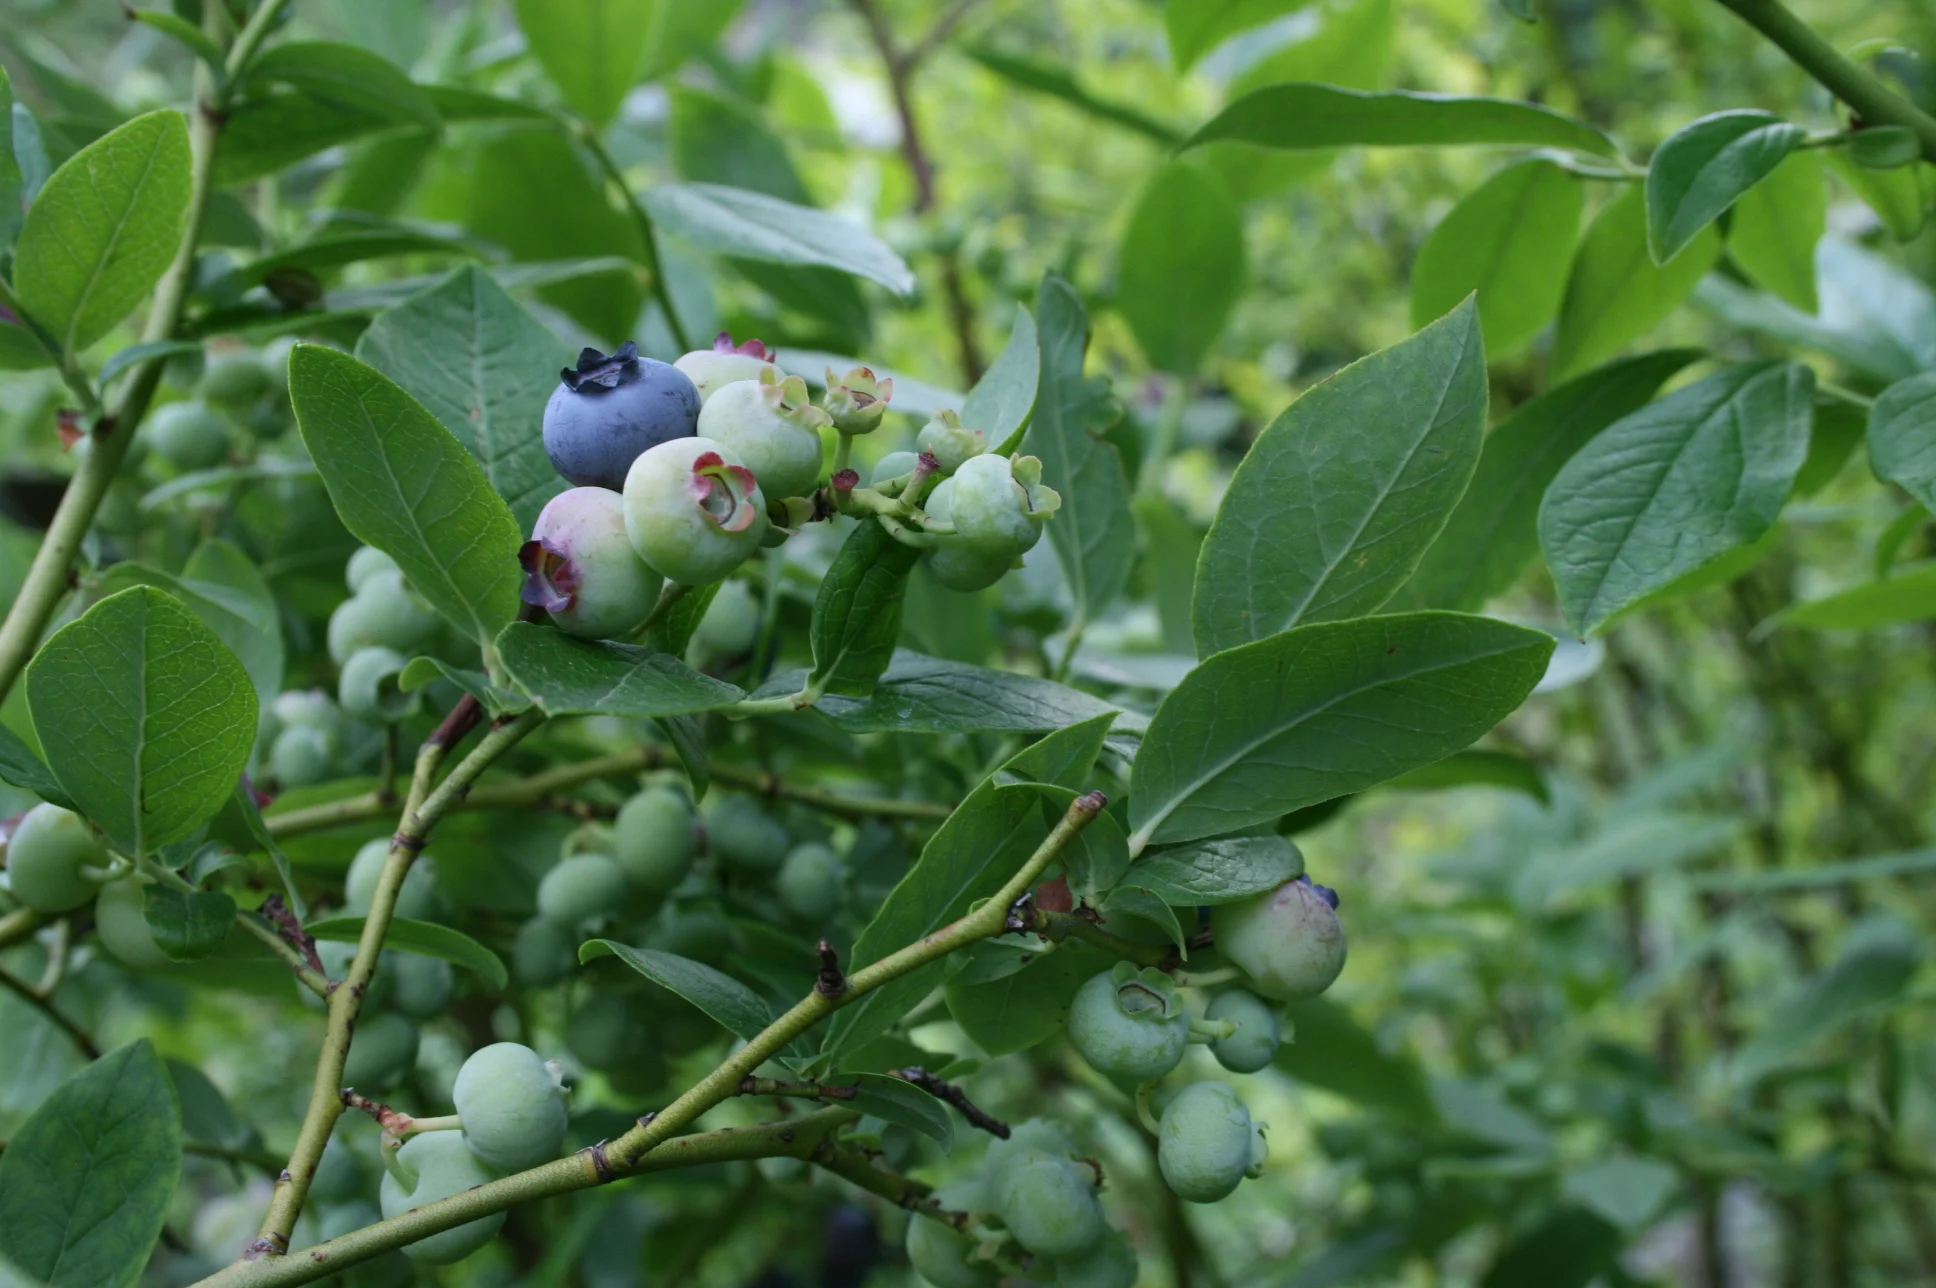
(752, 226)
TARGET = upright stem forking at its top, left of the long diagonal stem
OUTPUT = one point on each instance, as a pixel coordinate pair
(421, 814)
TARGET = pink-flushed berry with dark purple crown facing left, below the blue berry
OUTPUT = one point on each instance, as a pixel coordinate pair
(580, 567)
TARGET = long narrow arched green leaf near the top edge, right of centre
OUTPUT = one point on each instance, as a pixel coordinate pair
(1302, 117)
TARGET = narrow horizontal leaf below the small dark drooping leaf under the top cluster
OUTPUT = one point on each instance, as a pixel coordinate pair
(932, 696)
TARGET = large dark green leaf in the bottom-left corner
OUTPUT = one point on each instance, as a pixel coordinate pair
(88, 1181)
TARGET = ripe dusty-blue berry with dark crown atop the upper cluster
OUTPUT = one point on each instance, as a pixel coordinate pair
(611, 410)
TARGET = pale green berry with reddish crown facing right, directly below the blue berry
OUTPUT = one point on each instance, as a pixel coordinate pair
(692, 510)
